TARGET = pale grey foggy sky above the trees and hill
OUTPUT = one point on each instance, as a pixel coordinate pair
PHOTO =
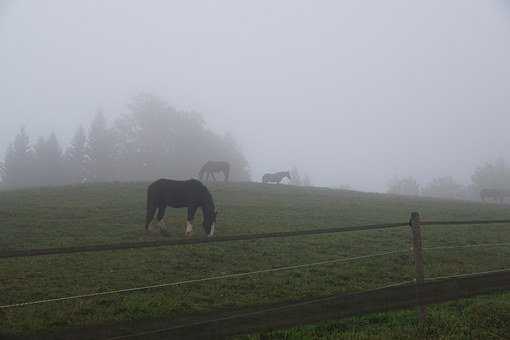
(351, 92)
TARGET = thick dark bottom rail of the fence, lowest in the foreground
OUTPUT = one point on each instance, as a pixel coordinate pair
(221, 324)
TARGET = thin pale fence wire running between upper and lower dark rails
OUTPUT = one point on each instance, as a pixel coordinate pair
(244, 274)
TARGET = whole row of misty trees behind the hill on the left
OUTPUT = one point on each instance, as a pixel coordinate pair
(151, 140)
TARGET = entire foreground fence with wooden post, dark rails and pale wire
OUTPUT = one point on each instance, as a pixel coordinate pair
(421, 293)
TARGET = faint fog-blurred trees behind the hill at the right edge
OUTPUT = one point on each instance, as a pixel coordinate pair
(491, 175)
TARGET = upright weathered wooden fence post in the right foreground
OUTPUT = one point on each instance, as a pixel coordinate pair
(415, 225)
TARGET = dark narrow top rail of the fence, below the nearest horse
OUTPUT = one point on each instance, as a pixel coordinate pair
(247, 237)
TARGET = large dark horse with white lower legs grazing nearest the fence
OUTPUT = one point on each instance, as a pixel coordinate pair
(189, 194)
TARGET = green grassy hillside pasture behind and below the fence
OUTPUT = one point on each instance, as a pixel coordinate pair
(109, 213)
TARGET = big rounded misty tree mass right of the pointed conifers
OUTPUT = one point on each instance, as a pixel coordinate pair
(156, 140)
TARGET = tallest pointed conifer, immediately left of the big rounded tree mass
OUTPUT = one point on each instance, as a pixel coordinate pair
(100, 150)
